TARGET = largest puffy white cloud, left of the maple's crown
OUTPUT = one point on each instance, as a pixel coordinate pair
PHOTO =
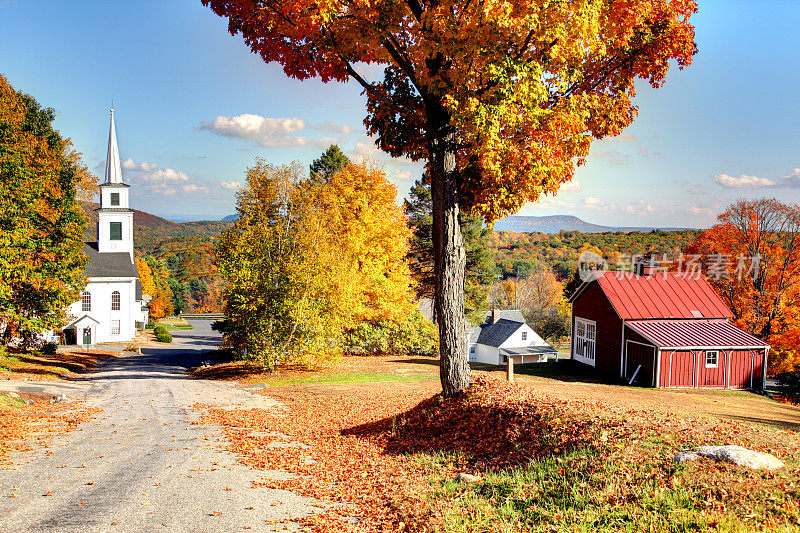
(268, 131)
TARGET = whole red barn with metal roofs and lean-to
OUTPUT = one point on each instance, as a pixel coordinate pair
(663, 330)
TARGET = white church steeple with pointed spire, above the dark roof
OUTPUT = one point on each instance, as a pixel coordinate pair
(115, 218)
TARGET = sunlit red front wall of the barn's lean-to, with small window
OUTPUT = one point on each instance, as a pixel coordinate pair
(686, 368)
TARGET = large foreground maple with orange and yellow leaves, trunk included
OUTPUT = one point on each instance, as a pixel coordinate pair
(500, 98)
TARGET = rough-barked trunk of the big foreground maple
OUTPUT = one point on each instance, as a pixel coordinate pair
(449, 255)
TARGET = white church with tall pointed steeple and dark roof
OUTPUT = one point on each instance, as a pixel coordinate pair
(112, 305)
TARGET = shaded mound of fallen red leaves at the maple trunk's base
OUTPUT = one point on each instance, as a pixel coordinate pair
(492, 427)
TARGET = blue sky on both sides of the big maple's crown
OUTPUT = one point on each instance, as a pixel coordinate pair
(194, 108)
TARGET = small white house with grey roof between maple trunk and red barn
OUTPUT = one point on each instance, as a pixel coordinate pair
(504, 333)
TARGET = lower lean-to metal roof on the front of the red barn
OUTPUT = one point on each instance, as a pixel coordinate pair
(695, 334)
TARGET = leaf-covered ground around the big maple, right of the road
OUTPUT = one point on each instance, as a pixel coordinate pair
(391, 457)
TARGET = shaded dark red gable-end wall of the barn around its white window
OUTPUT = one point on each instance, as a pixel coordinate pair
(593, 305)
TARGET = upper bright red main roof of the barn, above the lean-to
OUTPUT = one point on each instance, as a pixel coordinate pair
(661, 295)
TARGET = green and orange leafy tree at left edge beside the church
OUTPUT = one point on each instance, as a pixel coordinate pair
(41, 221)
